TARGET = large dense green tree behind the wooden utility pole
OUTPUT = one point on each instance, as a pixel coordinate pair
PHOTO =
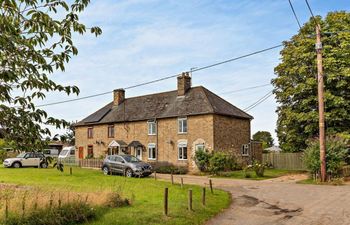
(295, 87)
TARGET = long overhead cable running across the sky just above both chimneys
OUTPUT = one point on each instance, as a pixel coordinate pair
(167, 77)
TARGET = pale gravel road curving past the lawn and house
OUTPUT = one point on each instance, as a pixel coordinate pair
(278, 201)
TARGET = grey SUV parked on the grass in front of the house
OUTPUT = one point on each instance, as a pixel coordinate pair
(127, 165)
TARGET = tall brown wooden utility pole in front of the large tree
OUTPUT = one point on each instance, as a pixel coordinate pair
(322, 136)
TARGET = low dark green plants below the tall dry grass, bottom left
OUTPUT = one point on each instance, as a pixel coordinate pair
(67, 214)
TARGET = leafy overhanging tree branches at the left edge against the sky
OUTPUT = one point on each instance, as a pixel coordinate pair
(35, 40)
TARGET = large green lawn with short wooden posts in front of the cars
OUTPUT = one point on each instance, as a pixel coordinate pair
(146, 195)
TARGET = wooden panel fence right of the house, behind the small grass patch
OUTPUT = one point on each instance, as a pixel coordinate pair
(289, 161)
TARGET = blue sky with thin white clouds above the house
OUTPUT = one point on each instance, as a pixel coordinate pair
(144, 40)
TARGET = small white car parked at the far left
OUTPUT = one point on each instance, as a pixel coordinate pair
(27, 159)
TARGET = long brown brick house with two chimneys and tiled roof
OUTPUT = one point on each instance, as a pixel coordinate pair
(165, 128)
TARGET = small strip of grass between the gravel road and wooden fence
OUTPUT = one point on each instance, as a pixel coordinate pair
(269, 173)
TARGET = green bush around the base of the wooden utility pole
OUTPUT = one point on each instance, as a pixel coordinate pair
(336, 152)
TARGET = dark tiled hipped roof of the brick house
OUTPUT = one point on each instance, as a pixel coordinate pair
(197, 101)
